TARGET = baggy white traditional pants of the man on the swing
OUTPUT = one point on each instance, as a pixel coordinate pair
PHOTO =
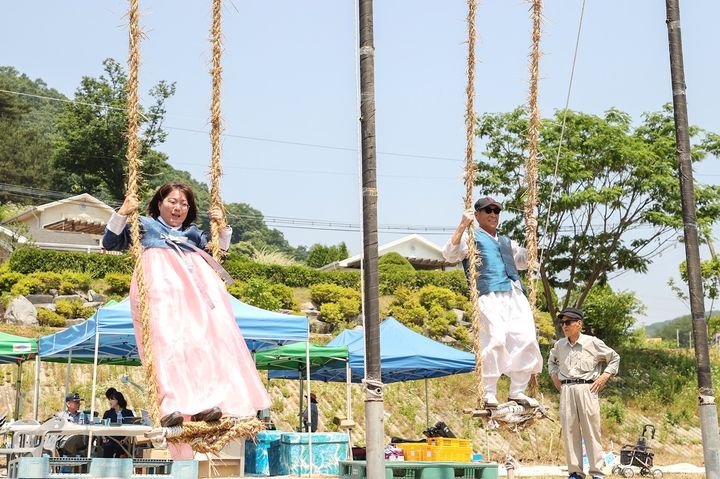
(508, 340)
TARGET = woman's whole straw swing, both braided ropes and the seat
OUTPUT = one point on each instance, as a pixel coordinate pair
(204, 437)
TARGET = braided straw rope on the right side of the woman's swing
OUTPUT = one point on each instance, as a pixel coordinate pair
(216, 127)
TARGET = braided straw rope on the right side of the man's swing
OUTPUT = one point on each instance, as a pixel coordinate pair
(531, 167)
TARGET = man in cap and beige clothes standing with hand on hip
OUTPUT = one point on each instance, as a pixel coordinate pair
(580, 365)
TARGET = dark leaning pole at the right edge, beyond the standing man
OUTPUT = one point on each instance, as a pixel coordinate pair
(706, 395)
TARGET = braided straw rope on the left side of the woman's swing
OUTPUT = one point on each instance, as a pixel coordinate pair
(134, 165)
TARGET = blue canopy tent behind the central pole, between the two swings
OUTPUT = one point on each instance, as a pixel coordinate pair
(405, 355)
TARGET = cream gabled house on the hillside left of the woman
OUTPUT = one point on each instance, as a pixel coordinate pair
(76, 223)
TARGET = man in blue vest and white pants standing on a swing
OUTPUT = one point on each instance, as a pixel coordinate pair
(508, 342)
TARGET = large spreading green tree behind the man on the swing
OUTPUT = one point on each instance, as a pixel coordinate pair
(615, 198)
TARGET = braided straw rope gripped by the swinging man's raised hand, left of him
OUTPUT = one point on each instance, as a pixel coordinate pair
(473, 257)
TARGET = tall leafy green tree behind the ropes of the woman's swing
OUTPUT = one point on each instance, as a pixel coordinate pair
(91, 145)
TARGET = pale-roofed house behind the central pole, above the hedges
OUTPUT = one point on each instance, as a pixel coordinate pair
(420, 252)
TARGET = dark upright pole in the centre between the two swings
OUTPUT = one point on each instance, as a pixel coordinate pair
(374, 408)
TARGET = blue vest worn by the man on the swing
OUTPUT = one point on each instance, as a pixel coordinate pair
(497, 270)
